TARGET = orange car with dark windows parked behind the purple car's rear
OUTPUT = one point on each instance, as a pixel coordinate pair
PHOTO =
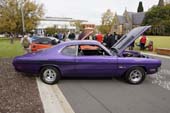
(43, 43)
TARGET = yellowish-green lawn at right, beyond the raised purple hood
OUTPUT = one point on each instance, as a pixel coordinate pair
(158, 41)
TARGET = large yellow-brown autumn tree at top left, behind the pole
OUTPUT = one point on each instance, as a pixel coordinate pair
(10, 15)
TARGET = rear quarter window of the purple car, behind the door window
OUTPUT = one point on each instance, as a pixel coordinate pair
(69, 51)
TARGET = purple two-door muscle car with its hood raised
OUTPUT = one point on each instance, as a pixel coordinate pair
(85, 58)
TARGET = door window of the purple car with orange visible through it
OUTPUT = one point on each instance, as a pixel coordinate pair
(91, 50)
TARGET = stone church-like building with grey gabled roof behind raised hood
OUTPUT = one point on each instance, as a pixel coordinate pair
(124, 23)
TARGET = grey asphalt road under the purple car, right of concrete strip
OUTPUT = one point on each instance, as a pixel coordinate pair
(116, 96)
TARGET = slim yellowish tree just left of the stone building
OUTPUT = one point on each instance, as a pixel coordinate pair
(107, 21)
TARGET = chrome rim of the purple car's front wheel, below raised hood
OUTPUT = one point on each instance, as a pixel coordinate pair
(135, 76)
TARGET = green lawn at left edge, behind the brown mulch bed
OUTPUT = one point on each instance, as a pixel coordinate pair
(10, 50)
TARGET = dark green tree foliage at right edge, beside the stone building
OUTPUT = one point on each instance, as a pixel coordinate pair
(159, 18)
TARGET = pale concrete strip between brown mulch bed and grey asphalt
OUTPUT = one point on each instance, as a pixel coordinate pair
(52, 99)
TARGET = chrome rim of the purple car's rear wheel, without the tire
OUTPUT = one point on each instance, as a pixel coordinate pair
(49, 75)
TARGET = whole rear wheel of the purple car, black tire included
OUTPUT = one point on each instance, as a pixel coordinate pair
(50, 75)
